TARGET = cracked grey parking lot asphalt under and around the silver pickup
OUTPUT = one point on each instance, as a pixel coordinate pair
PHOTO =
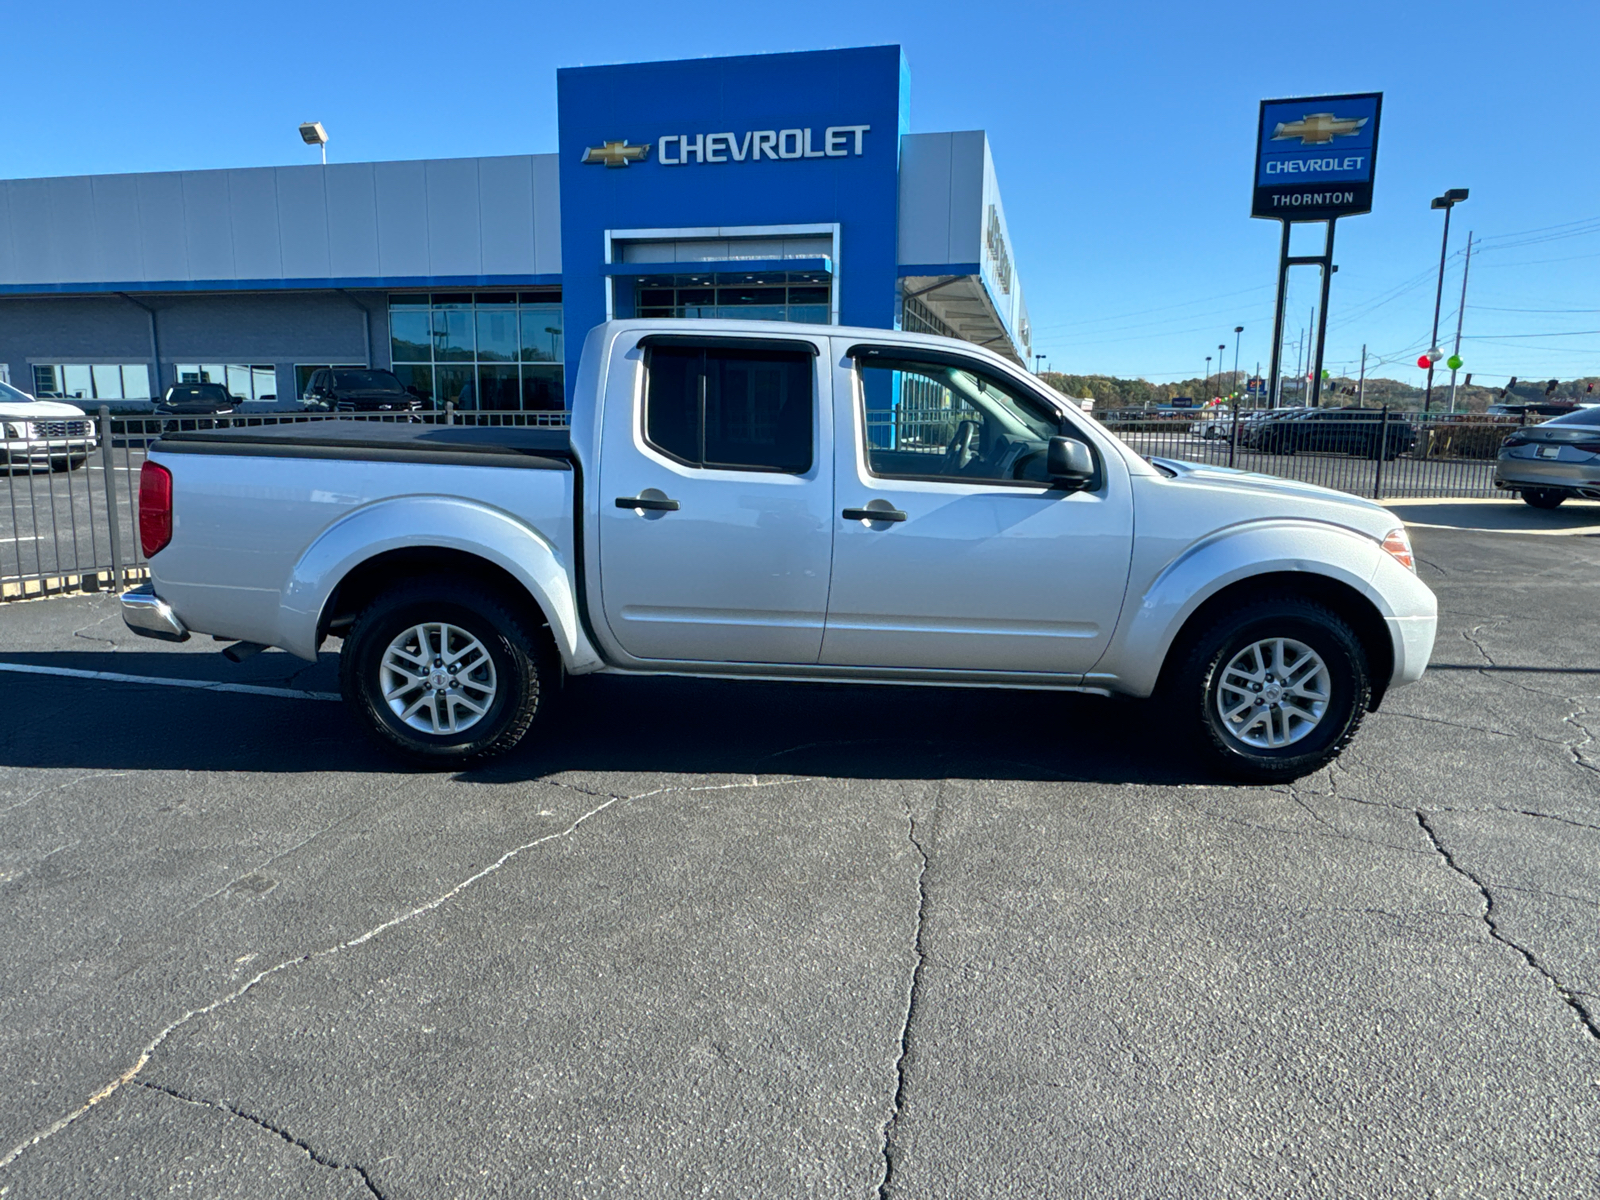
(711, 938)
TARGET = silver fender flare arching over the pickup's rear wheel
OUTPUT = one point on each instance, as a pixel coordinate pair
(430, 522)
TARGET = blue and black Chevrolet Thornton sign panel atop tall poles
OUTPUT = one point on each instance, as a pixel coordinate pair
(1316, 158)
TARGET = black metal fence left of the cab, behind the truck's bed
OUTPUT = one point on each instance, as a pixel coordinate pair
(70, 490)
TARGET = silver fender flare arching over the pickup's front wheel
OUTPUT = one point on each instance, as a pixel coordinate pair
(1231, 556)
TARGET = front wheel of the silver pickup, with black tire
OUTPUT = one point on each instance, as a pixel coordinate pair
(1209, 681)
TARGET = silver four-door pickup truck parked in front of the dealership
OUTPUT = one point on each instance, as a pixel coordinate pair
(786, 502)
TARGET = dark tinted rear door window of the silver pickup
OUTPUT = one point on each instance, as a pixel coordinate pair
(742, 410)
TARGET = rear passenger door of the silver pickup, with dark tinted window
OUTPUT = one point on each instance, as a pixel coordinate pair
(716, 502)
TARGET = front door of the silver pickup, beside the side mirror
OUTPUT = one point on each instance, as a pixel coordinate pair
(977, 564)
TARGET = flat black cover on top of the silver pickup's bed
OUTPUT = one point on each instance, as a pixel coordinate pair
(540, 449)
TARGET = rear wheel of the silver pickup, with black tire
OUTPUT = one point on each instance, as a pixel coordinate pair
(506, 681)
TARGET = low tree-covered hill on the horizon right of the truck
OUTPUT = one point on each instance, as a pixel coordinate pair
(1114, 393)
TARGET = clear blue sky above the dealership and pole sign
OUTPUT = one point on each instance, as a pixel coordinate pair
(1122, 138)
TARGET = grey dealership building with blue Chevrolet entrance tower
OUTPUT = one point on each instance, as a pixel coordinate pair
(769, 188)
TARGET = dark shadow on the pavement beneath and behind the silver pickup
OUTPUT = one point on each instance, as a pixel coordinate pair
(674, 726)
